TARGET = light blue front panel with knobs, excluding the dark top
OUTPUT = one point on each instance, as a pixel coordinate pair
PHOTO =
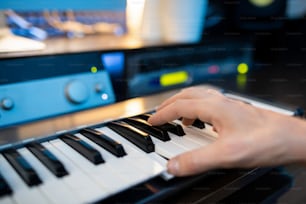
(36, 99)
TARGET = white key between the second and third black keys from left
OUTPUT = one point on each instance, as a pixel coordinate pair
(54, 188)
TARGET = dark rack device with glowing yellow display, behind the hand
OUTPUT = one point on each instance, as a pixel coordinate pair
(160, 69)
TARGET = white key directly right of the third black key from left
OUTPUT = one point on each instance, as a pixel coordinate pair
(87, 190)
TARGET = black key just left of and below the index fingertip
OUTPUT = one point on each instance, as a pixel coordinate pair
(148, 128)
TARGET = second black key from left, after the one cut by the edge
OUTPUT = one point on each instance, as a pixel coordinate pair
(22, 167)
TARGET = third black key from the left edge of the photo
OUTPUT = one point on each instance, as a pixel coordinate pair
(48, 159)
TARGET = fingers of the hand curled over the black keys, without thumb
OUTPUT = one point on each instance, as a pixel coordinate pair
(190, 105)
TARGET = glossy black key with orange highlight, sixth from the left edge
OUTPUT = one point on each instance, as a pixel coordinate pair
(134, 135)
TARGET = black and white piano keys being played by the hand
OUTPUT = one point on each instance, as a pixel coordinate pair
(93, 163)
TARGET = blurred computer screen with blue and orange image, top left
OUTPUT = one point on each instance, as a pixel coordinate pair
(28, 19)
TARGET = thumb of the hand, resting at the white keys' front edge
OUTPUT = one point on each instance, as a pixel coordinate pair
(223, 153)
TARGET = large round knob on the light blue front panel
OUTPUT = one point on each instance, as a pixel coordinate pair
(77, 92)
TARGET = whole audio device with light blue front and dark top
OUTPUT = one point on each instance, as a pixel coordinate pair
(39, 87)
